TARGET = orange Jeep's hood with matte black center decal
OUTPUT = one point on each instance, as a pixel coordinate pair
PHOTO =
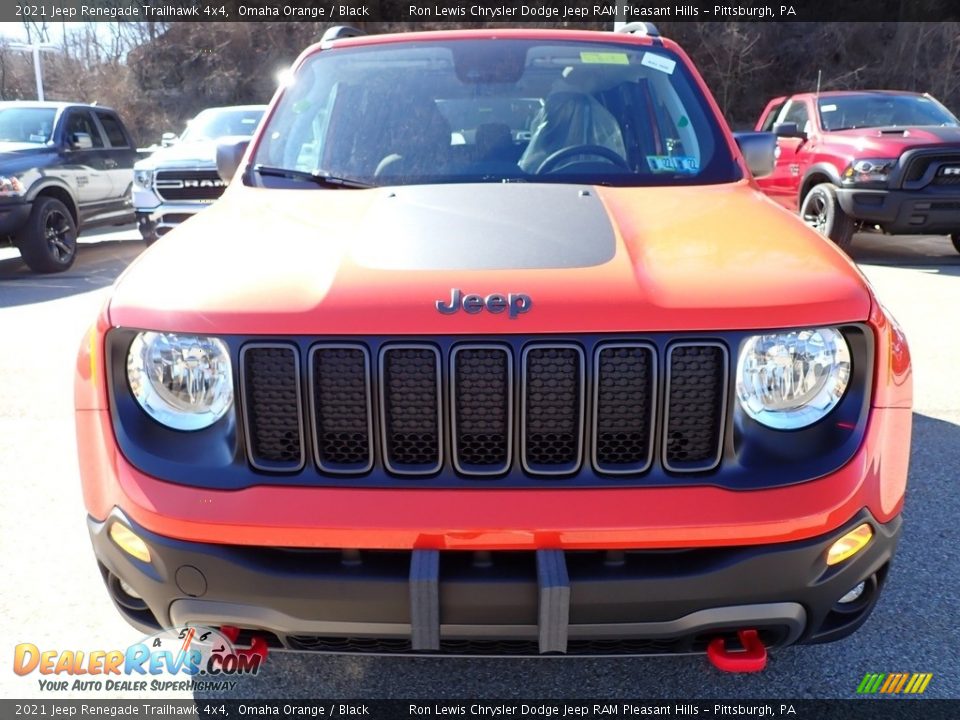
(340, 262)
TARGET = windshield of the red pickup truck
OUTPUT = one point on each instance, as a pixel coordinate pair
(846, 112)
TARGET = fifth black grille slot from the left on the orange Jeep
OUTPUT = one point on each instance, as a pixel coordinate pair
(553, 409)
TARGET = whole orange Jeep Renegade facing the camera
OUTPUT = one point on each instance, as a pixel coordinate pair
(529, 365)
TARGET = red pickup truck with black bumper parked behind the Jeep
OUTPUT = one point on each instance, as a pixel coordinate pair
(867, 159)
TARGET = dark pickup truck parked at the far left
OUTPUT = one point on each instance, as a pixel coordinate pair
(64, 168)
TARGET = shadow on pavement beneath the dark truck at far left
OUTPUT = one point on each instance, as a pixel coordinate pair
(98, 264)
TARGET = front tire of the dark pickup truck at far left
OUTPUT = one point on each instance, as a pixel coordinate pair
(48, 240)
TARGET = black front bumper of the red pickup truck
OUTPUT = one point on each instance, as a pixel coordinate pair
(904, 212)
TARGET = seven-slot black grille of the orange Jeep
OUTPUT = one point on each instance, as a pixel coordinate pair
(485, 409)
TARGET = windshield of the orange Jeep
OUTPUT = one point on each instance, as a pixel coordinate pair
(495, 111)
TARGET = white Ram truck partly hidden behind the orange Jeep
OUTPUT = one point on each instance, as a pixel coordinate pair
(180, 178)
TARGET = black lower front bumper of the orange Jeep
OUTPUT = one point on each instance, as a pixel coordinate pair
(503, 602)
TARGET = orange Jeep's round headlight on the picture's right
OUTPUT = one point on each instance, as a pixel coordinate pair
(791, 380)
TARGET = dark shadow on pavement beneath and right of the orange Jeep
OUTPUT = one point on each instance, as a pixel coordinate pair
(913, 622)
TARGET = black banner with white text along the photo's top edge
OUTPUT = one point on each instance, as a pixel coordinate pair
(570, 12)
